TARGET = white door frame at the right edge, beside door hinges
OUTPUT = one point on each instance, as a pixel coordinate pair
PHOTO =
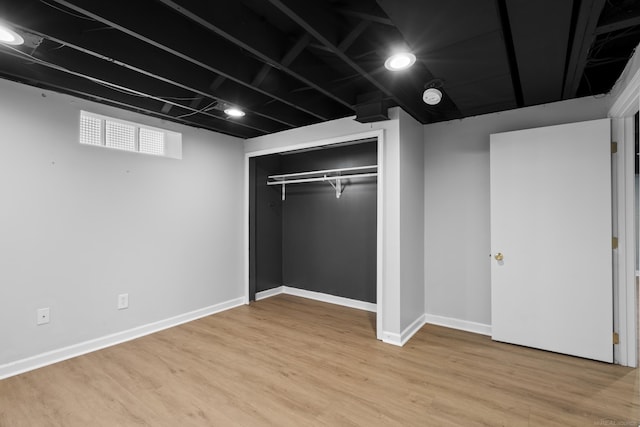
(622, 114)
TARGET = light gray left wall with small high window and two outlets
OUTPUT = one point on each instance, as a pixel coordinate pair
(80, 225)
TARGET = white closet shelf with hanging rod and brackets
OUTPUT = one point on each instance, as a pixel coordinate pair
(327, 175)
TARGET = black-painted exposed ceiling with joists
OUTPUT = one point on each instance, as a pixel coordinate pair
(290, 63)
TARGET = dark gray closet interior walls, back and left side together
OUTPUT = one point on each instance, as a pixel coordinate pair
(312, 240)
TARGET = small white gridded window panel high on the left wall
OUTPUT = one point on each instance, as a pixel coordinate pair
(108, 132)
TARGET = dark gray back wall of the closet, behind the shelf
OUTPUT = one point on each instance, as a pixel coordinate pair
(329, 244)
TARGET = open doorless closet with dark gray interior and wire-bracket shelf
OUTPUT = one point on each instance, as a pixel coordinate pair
(314, 223)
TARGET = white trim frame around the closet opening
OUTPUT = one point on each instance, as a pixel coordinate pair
(379, 134)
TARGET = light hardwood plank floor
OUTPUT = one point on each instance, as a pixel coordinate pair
(287, 361)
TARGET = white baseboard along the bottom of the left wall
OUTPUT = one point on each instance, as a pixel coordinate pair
(58, 355)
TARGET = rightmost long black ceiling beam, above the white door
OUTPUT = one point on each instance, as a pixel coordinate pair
(584, 35)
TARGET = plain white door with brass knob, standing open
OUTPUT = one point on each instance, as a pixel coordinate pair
(551, 227)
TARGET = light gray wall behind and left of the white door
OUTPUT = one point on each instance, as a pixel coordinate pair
(457, 234)
